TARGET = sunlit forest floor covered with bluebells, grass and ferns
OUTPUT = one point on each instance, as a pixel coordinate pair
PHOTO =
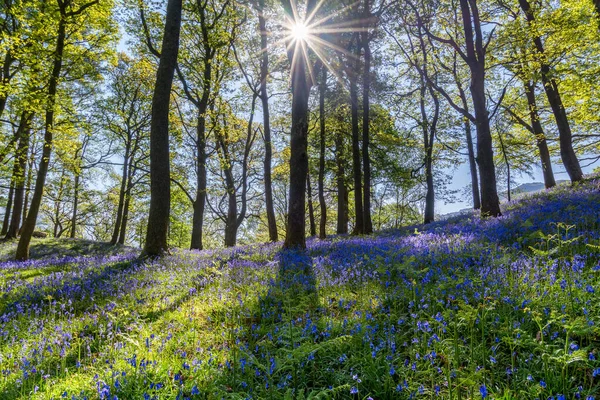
(505, 308)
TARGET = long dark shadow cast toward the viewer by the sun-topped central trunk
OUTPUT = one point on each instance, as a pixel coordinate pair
(270, 353)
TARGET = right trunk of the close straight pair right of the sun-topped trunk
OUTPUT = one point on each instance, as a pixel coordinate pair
(367, 221)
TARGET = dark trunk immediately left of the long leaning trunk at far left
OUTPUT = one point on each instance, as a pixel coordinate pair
(21, 162)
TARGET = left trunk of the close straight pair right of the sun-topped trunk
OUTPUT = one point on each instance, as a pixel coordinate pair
(359, 227)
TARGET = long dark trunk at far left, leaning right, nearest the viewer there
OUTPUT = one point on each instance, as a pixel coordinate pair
(36, 201)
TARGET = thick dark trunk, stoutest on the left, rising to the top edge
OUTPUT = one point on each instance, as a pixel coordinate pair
(160, 183)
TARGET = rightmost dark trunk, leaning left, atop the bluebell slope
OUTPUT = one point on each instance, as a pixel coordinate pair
(567, 153)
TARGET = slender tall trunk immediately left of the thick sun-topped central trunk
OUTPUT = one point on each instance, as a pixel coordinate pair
(264, 97)
